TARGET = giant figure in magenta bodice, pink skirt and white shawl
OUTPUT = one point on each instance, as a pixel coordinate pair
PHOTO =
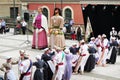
(41, 29)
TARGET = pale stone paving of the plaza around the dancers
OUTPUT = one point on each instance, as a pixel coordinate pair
(11, 44)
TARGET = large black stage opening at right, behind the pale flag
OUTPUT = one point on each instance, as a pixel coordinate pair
(103, 18)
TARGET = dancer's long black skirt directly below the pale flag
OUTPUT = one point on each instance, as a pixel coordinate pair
(90, 64)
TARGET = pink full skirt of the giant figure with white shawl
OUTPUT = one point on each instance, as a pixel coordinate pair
(39, 40)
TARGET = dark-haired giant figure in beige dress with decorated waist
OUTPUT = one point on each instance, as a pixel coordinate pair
(56, 30)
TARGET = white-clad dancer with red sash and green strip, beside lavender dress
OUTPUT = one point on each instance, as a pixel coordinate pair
(59, 61)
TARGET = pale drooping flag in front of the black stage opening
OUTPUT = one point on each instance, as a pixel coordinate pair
(88, 30)
